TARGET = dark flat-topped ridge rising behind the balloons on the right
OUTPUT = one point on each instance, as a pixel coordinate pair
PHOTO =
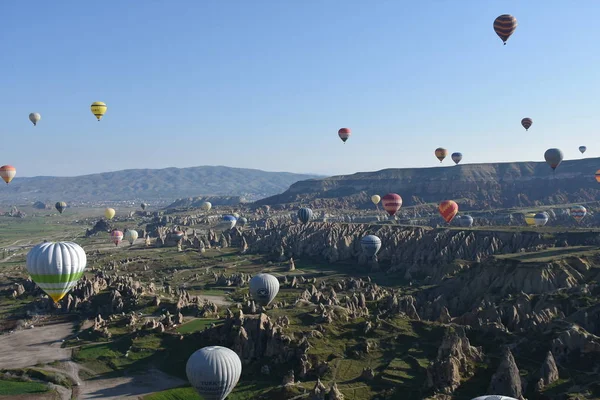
(505, 185)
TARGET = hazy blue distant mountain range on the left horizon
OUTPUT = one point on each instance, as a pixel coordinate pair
(151, 185)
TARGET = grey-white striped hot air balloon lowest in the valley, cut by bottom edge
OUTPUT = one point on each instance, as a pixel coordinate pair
(214, 371)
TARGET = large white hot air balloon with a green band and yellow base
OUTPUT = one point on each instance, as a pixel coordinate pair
(56, 267)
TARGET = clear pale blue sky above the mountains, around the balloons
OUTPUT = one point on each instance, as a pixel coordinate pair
(267, 84)
